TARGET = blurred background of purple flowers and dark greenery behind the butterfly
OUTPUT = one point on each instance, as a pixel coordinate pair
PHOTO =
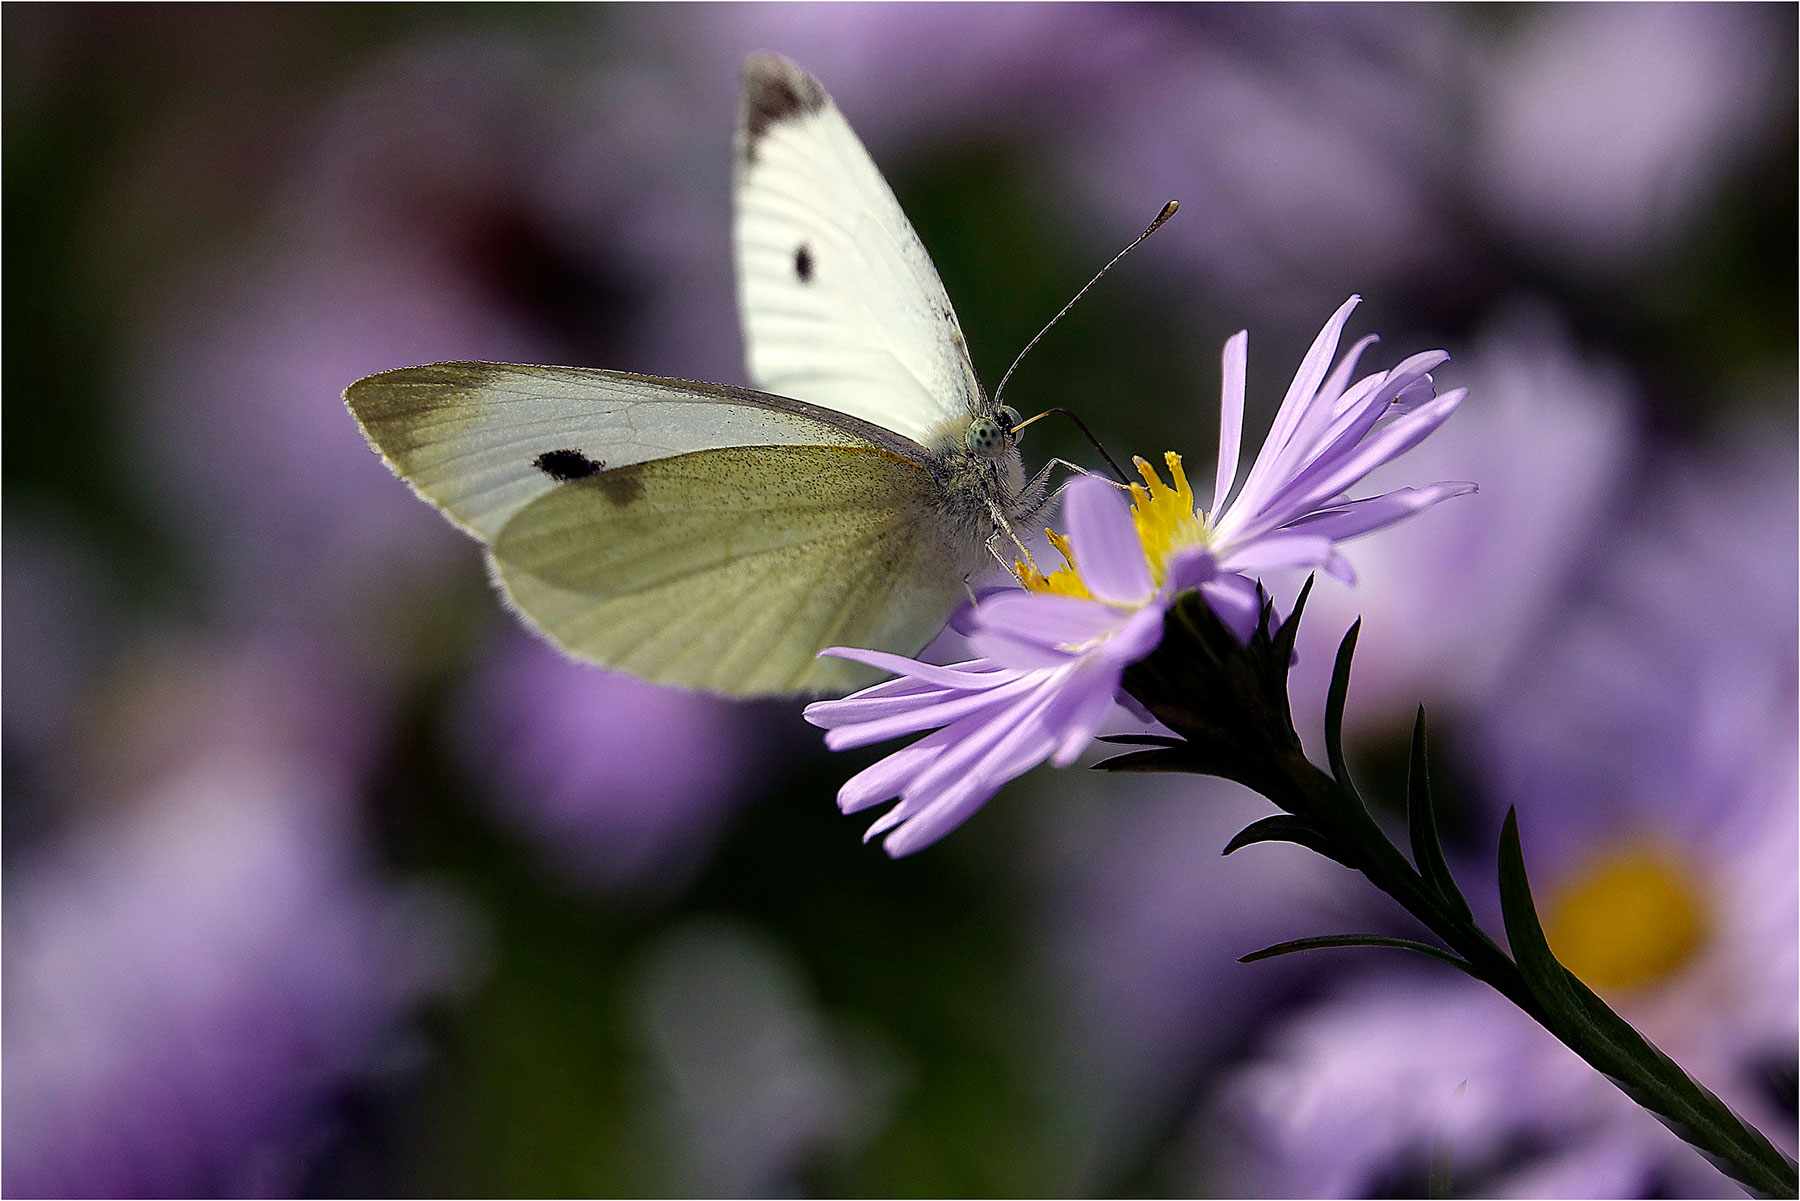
(321, 878)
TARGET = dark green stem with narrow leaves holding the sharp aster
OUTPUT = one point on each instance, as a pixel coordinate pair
(1228, 705)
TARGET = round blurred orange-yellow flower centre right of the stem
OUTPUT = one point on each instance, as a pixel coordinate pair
(1630, 919)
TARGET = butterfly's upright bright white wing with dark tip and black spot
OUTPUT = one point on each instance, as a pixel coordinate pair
(841, 305)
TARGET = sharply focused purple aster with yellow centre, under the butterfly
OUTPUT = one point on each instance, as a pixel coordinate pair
(1050, 656)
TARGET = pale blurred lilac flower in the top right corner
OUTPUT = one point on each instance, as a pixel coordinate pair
(1601, 132)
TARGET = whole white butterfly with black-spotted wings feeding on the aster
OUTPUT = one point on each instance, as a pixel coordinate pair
(719, 537)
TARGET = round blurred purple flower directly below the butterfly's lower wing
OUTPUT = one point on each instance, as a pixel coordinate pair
(618, 784)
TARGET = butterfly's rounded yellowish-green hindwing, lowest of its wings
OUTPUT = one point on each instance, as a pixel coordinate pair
(730, 570)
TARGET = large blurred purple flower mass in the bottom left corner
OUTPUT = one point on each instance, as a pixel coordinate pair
(195, 975)
